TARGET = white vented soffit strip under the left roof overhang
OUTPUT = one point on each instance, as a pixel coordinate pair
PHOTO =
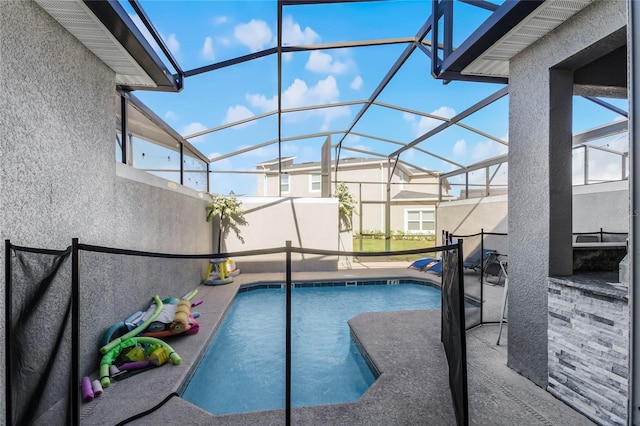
(87, 28)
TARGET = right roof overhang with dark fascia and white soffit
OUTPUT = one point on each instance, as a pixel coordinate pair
(514, 26)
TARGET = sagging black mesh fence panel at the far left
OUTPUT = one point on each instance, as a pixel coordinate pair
(39, 354)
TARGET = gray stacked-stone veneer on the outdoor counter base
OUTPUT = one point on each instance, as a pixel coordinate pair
(589, 348)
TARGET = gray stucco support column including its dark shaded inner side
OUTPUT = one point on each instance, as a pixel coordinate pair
(539, 207)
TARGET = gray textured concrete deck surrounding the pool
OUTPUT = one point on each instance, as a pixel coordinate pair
(412, 388)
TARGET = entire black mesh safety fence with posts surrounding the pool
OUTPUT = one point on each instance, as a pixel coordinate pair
(43, 294)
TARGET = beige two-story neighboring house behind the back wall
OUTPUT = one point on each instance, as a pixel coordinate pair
(413, 194)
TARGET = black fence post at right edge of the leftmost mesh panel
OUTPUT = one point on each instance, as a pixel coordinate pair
(75, 332)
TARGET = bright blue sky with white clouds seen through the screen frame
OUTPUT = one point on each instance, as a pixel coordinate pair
(200, 33)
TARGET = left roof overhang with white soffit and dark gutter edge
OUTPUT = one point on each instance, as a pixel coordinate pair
(108, 31)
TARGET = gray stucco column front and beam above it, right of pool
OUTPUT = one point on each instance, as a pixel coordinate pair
(529, 178)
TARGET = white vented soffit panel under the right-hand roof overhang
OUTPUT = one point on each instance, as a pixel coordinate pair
(495, 60)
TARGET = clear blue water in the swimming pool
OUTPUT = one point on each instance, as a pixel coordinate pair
(244, 368)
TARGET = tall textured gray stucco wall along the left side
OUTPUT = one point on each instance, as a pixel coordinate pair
(58, 178)
